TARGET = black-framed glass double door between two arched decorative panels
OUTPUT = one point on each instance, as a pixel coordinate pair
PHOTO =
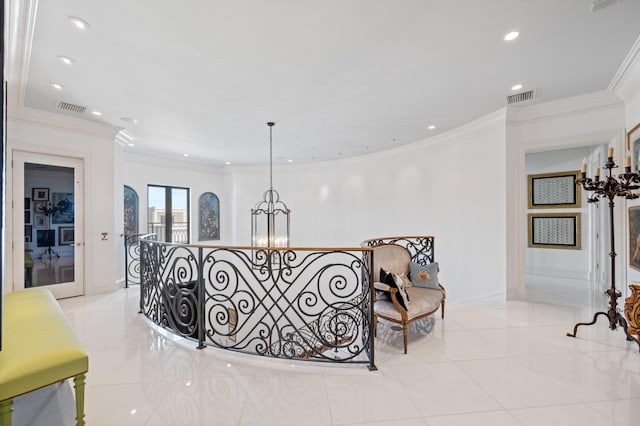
(168, 213)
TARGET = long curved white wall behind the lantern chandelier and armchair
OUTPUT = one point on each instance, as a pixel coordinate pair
(451, 187)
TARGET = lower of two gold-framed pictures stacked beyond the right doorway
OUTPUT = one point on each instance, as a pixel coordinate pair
(555, 230)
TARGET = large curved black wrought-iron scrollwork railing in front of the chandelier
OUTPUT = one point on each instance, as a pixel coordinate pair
(306, 304)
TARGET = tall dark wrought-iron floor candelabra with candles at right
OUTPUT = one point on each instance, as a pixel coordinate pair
(609, 188)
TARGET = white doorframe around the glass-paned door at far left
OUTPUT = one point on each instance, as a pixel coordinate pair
(17, 244)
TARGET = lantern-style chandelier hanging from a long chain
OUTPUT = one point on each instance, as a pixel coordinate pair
(270, 217)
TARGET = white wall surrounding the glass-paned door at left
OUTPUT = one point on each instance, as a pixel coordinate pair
(37, 132)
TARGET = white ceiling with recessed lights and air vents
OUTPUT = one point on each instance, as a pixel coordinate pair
(339, 77)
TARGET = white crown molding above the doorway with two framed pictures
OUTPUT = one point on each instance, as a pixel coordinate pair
(565, 107)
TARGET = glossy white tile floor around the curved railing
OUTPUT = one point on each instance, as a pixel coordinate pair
(490, 362)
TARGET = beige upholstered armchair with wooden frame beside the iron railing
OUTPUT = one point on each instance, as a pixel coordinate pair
(399, 299)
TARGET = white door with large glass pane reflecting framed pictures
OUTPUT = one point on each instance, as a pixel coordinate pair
(48, 248)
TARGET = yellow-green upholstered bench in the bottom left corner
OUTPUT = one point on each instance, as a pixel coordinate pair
(39, 348)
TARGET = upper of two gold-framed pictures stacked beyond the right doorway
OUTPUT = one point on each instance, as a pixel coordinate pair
(554, 190)
